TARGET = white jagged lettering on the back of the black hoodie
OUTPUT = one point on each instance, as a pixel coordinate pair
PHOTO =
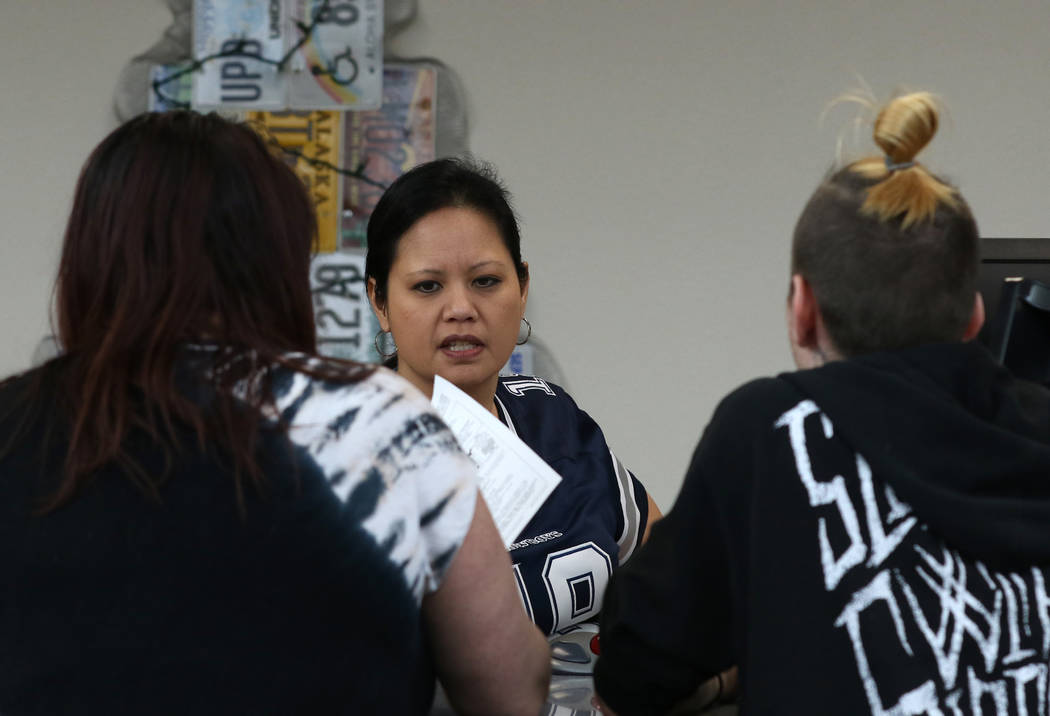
(973, 641)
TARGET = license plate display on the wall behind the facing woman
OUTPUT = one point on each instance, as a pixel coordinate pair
(310, 76)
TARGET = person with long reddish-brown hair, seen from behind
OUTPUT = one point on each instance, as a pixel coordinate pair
(200, 514)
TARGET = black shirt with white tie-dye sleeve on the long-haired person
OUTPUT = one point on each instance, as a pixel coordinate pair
(305, 598)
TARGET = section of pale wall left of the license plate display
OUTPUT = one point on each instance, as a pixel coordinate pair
(59, 65)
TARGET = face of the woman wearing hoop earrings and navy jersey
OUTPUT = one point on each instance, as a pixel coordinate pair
(454, 303)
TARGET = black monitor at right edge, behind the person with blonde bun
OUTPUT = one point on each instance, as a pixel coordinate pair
(1015, 283)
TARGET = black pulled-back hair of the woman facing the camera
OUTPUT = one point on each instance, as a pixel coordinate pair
(448, 183)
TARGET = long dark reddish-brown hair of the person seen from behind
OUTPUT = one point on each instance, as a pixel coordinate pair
(184, 227)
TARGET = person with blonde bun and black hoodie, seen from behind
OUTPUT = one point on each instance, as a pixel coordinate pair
(870, 534)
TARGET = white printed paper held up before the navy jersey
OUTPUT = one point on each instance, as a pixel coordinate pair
(515, 481)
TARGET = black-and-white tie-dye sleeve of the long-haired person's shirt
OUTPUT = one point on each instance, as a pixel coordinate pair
(385, 453)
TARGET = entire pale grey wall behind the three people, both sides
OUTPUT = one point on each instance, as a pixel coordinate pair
(659, 153)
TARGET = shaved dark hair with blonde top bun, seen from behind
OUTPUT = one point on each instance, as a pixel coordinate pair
(890, 249)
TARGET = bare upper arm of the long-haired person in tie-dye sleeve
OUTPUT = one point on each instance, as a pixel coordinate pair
(490, 658)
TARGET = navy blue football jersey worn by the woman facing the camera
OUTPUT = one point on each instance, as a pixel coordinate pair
(593, 521)
